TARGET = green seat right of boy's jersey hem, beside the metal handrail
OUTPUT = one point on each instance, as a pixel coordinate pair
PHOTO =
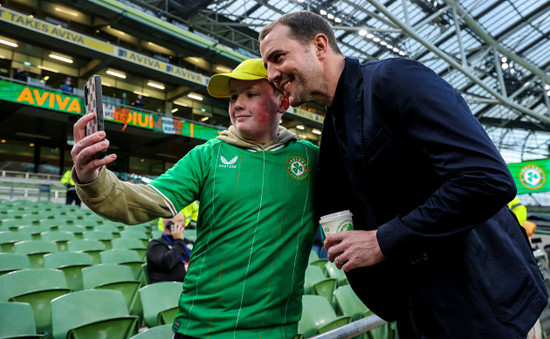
(318, 316)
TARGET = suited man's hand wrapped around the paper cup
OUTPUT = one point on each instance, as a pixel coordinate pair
(352, 249)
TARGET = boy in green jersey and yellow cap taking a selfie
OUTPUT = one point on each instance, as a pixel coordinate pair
(255, 227)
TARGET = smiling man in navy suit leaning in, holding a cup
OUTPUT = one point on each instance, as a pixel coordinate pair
(434, 247)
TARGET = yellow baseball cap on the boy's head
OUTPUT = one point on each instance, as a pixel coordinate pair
(251, 69)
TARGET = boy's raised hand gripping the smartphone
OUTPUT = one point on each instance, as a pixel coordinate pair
(84, 148)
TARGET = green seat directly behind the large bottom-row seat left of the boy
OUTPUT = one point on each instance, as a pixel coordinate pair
(114, 277)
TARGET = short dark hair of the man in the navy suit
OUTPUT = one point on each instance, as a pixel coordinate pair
(303, 27)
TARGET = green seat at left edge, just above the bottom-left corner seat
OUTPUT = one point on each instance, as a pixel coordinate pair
(36, 286)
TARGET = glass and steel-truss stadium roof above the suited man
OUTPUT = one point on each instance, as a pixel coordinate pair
(496, 53)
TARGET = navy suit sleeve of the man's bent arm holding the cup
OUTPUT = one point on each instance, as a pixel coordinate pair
(475, 181)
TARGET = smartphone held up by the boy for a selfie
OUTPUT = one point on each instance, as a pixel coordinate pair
(94, 105)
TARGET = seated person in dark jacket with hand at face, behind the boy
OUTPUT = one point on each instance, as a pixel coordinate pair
(168, 256)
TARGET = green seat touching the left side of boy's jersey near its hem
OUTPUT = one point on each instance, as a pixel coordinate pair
(160, 302)
